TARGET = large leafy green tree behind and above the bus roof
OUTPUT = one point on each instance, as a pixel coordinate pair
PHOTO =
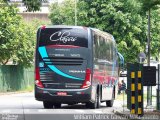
(116, 17)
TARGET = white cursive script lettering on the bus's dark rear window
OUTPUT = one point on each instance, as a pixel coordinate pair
(62, 36)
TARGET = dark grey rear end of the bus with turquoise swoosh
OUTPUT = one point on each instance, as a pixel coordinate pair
(63, 65)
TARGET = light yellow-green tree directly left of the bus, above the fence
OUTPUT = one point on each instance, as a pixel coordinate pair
(27, 42)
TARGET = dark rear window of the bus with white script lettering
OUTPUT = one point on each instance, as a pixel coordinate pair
(64, 36)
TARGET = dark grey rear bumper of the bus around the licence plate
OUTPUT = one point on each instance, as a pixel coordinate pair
(72, 97)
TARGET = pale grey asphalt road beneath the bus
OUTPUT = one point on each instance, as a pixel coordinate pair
(24, 107)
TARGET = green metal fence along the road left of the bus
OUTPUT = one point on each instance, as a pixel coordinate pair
(13, 78)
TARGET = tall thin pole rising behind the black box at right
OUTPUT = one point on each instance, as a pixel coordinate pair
(149, 88)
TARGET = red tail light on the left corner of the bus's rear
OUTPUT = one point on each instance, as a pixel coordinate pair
(37, 78)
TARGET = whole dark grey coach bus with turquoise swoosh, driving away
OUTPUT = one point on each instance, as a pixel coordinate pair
(75, 64)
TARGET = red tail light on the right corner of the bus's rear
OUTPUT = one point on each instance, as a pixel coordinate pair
(87, 81)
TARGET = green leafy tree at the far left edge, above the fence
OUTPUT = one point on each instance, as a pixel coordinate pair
(8, 32)
